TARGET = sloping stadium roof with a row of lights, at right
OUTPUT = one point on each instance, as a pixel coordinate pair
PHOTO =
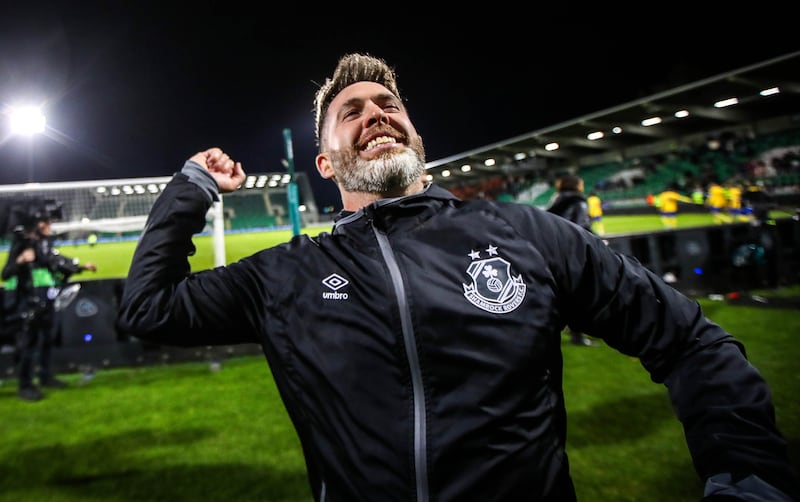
(750, 85)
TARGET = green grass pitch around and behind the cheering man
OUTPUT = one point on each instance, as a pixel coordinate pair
(190, 431)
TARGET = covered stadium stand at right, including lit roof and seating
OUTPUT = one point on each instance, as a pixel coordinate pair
(697, 138)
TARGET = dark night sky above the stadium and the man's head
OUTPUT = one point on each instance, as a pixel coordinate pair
(131, 90)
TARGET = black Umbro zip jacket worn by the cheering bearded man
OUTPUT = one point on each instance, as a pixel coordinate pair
(417, 346)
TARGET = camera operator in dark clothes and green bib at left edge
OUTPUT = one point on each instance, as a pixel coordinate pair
(33, 275)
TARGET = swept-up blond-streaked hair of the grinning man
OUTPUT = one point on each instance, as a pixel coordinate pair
(351, 68)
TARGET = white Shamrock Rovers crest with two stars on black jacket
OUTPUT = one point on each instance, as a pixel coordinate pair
(493, 288)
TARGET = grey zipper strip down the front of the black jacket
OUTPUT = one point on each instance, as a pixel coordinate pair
(420, 426)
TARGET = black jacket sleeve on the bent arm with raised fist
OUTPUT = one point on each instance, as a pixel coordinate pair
(163, 300)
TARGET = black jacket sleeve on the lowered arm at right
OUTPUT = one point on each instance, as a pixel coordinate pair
(720, 398)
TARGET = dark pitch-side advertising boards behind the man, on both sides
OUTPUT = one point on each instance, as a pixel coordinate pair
(700, 261)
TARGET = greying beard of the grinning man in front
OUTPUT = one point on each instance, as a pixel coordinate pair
(389, 172)
